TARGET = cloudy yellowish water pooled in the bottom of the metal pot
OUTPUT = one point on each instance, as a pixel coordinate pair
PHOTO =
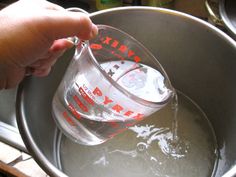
(144, 150)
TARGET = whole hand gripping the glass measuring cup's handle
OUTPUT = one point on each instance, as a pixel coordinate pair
(33, 35)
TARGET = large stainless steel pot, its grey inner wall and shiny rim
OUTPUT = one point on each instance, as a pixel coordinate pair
(199, 59)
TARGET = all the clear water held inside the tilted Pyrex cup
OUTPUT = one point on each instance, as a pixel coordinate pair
(93, 118)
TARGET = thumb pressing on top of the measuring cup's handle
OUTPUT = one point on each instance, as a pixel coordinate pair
(62, 24)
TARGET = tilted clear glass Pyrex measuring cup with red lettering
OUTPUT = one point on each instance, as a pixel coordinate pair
(111, 83)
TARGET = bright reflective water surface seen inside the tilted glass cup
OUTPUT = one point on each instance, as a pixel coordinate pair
(139, 79)
